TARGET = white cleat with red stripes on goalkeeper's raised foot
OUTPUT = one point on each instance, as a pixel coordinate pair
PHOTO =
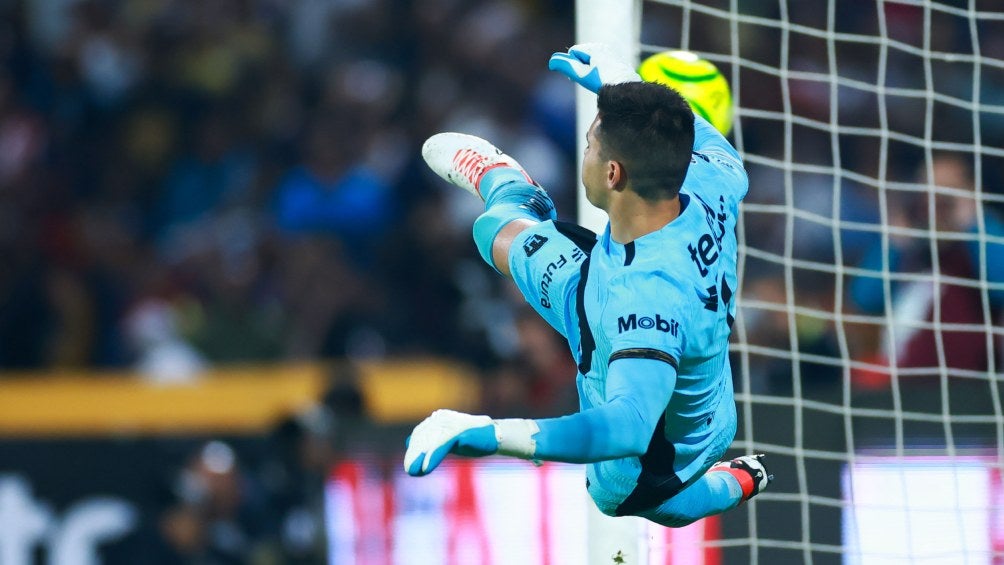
(463, 160)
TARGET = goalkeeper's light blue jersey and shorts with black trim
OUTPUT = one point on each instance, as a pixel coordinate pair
(668, 297)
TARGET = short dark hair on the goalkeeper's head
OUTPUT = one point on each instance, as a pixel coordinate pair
(649, 130)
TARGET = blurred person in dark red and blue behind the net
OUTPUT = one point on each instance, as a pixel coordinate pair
(938, 266)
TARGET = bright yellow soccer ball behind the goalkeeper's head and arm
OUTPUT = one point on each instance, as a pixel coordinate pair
(697, 80)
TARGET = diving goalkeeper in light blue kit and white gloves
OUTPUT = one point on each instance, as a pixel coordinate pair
(647, 307)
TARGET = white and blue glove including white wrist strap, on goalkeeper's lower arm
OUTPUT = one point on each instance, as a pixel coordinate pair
(447, 432)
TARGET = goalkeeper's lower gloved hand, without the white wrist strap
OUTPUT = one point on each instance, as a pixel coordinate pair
(447, 432)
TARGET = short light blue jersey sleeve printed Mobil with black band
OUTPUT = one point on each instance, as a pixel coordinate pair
(646, 318)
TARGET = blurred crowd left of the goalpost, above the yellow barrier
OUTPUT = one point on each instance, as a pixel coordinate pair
(189, 183)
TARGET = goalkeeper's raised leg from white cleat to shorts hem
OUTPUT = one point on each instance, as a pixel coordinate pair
(514, 202)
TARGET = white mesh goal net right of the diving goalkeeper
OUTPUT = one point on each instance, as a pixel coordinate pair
(872, 267)
